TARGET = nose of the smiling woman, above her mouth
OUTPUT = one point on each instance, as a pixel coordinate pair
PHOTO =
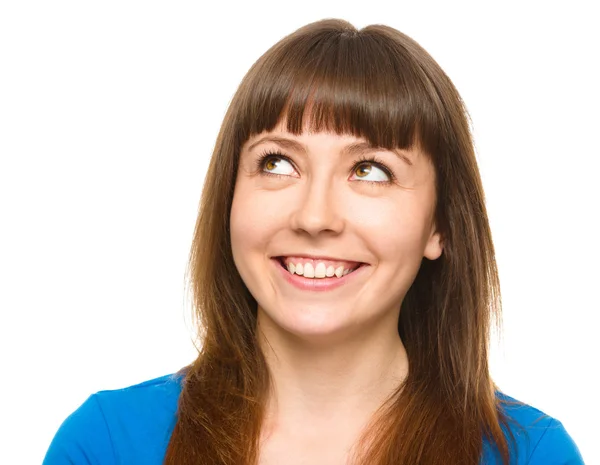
(319, 208)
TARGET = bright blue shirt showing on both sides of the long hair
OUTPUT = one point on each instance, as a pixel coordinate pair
(132, 426)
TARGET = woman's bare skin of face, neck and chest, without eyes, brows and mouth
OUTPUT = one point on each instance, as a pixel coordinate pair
(334, 356)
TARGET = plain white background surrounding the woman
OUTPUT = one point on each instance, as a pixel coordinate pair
(108, 115)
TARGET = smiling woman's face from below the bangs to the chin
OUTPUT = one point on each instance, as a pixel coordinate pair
(316, 203)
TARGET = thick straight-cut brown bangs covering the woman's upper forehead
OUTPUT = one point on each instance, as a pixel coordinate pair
(366, 84)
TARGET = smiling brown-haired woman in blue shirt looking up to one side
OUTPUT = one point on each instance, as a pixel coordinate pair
(344, 280)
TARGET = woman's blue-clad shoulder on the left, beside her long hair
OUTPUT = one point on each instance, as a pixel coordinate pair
(129, 425)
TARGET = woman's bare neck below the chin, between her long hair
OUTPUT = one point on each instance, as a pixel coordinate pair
(339, 382)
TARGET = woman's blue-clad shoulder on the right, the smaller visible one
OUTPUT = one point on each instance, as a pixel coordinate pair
(537, 437)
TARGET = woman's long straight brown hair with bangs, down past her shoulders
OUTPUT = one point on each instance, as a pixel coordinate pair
(379, 84)
